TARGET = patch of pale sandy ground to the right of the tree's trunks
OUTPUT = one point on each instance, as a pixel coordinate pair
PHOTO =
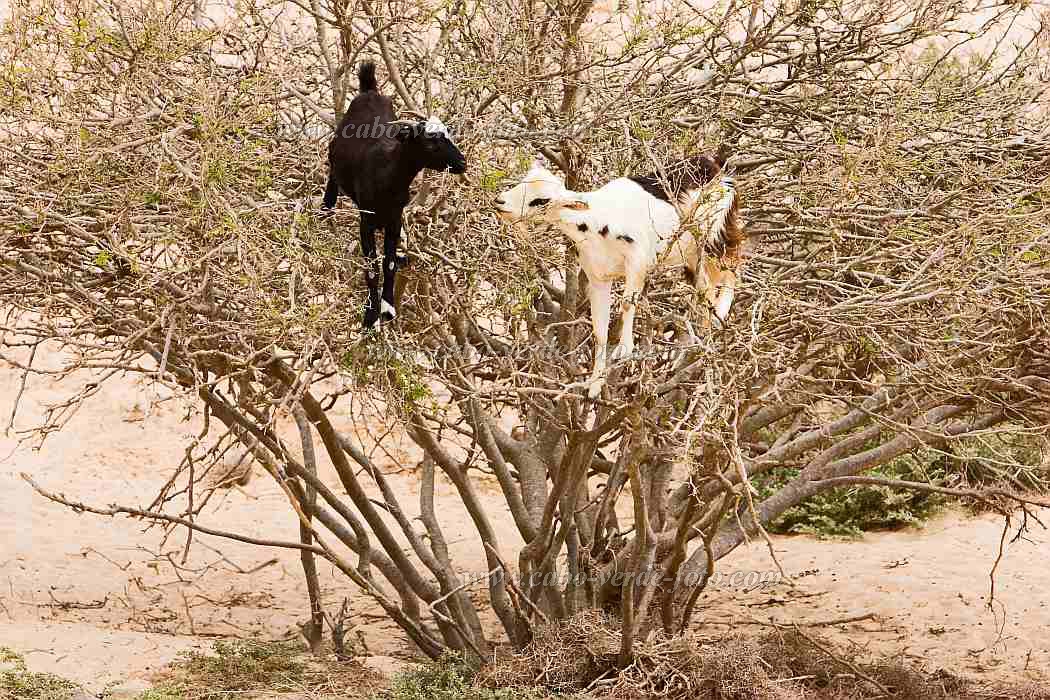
(928, 588)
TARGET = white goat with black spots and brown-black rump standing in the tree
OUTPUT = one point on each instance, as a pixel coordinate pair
(624, 228)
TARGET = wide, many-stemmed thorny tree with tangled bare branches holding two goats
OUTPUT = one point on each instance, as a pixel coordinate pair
(160, 165)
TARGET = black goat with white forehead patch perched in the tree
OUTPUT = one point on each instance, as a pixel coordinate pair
(374, 158)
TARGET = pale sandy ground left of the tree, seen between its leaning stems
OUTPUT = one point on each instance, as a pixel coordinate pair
(70, 583)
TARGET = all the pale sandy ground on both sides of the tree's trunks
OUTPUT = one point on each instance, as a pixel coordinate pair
(104, 601)
